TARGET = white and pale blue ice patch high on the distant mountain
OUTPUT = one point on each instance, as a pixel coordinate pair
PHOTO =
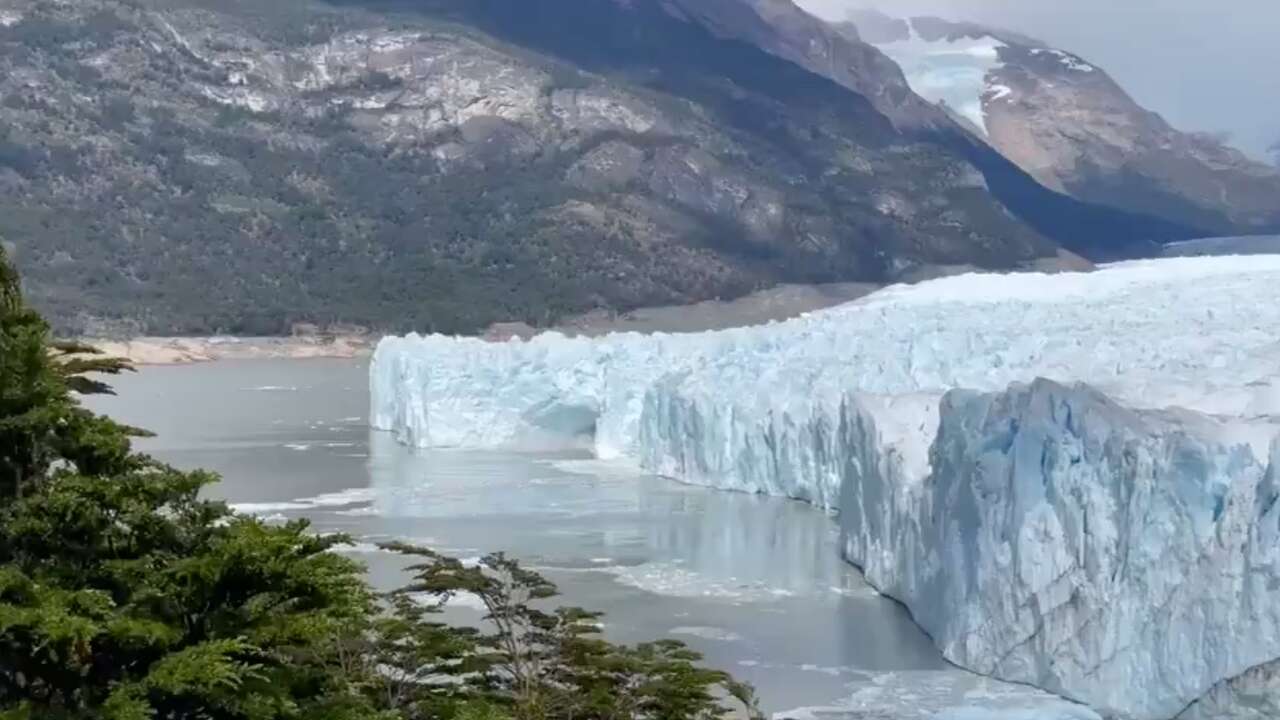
(952, 71)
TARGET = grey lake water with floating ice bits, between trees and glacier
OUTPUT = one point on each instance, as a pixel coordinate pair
(756, 584)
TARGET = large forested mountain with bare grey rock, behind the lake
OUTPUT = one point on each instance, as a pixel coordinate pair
(194, 167)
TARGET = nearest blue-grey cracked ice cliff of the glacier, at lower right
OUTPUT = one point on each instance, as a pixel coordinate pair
(1126, 559)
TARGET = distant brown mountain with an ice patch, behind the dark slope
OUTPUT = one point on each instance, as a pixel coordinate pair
(1069, 125)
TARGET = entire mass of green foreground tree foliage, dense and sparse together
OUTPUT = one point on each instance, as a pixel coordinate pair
(126, 596)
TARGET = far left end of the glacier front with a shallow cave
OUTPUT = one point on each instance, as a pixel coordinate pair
(465, 393)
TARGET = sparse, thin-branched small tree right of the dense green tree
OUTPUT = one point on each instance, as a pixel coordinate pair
(552, 664)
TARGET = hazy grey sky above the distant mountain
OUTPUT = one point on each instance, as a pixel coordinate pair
(1204, 65)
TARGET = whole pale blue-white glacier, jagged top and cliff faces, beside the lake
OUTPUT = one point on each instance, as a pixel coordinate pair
(1071, 481)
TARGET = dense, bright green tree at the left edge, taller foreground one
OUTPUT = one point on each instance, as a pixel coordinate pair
(124, 594)
